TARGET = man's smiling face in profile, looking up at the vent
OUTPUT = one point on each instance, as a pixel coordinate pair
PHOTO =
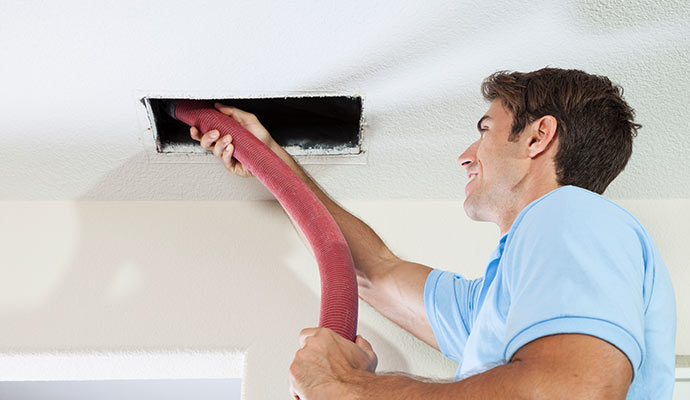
(493, 166)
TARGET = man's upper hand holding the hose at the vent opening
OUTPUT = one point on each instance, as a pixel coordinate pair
(223, 148)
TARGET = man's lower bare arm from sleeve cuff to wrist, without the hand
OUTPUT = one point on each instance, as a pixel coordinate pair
(554, 367)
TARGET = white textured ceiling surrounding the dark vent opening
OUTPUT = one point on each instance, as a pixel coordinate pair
(72, 74)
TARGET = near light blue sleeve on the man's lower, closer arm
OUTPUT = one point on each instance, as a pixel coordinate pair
(576, 272)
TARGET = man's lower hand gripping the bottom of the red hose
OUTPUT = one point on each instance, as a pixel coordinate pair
(326, 364)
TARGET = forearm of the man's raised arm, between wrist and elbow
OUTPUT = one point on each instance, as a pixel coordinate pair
(367, 248)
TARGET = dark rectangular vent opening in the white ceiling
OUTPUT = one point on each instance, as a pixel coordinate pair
(302, 125)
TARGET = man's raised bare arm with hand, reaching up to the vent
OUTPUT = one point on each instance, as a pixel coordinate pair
(392, 286)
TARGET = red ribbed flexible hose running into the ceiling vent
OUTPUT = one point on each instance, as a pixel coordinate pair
(336, 268)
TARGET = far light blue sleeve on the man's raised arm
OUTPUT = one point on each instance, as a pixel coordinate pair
(450, 301)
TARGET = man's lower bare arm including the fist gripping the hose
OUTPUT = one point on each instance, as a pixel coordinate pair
(561, 366)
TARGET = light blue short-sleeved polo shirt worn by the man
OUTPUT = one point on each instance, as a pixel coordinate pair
(572, 262)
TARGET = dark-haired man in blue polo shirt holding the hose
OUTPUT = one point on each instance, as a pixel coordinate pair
(575, 301)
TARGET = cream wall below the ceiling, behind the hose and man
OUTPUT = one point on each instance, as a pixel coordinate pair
(169, 277)
